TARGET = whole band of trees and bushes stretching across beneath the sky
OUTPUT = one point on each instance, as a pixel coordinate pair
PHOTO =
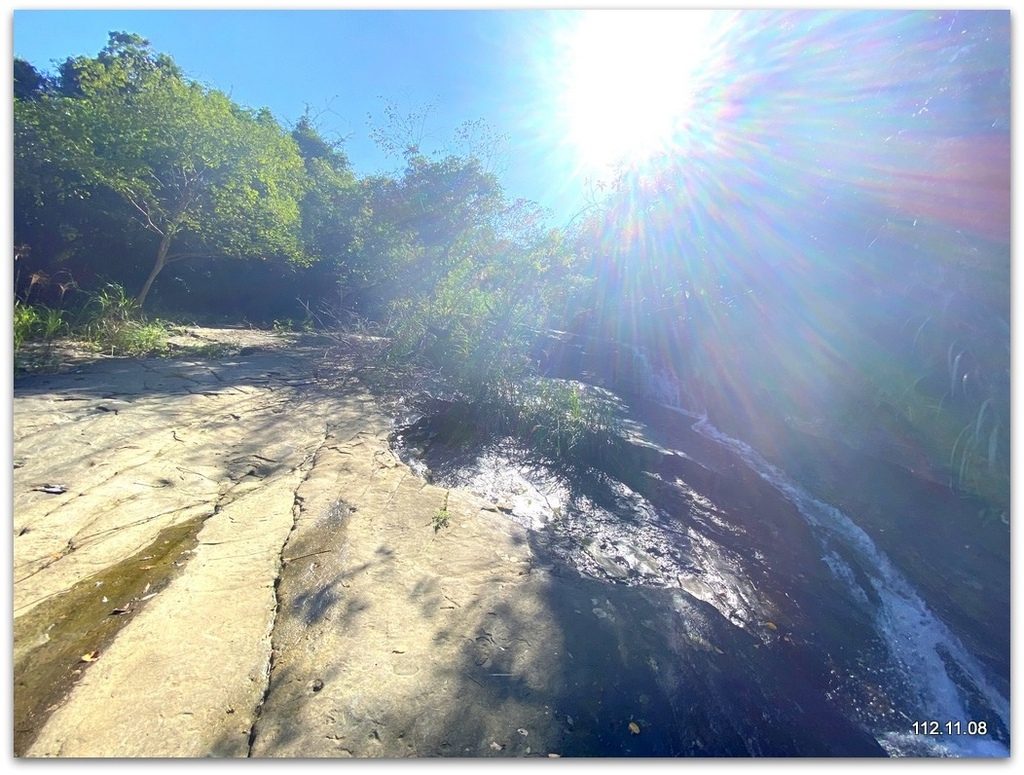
(139, 191)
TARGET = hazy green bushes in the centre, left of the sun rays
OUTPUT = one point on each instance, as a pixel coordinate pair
(482, 277)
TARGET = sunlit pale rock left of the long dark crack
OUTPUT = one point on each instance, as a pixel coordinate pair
(138, 448)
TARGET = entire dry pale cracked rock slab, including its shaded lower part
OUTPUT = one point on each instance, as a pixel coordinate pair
(222, 557)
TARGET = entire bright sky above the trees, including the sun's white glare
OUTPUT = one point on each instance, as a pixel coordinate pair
(855, 101)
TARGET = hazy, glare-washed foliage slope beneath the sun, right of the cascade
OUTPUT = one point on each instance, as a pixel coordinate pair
(898, 346)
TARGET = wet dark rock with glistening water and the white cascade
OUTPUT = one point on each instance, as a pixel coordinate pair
(710, 520)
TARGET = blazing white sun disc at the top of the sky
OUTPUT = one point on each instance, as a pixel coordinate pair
(626, 79)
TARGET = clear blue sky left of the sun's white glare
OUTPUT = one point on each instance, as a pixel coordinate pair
(473, 65)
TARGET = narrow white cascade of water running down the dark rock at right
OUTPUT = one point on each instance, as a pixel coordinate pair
(945, 682)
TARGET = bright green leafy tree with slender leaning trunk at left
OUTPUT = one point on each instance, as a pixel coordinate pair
(207, 178)
